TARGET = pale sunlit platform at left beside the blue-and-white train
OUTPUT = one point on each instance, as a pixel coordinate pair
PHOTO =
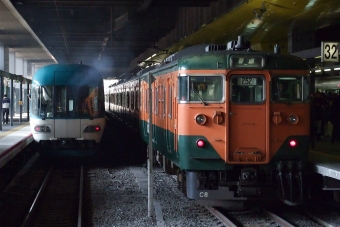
(14, 138)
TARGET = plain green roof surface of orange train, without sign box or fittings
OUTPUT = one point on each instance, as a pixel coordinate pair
(206, 56)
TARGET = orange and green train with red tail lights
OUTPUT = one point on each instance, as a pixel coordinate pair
(235, 122)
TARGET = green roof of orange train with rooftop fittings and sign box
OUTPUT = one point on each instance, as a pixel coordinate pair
(218, 56)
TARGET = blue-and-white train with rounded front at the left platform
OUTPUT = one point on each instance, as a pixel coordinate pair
(67, 115)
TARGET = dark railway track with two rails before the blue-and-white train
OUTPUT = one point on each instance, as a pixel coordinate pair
(59, 200)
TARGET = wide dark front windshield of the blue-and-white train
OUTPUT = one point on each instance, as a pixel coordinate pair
(66, 101)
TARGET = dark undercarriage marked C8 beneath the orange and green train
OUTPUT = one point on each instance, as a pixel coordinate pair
(243, 184)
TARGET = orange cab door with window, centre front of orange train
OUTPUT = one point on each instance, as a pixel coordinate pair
(248, 126)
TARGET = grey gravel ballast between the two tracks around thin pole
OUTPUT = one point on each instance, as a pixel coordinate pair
(118, 197)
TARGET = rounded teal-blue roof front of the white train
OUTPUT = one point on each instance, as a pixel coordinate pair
(67, 74)
